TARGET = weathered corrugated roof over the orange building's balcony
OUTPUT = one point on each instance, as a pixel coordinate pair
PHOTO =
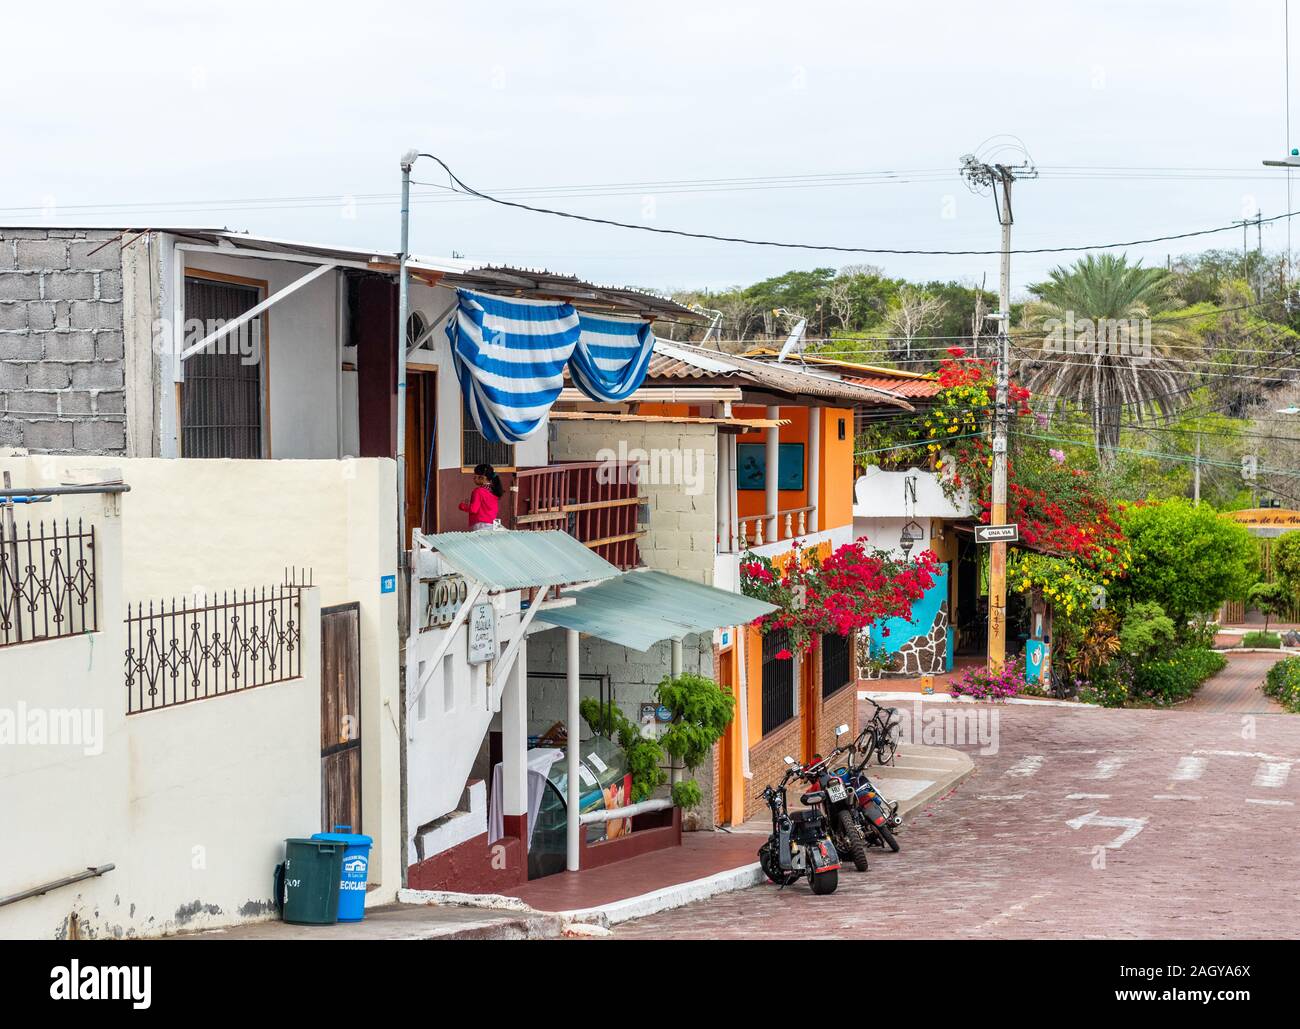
(681, 362)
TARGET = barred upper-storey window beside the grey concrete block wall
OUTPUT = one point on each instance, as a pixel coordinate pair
(223, 394)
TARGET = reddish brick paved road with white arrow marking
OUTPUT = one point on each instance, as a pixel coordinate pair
(976, 867)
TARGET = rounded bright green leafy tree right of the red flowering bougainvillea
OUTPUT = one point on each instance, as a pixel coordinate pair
(1188, 558)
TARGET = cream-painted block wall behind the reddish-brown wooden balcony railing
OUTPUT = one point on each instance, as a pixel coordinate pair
(683, 531)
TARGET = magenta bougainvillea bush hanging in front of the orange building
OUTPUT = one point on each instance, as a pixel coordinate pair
(851, 589)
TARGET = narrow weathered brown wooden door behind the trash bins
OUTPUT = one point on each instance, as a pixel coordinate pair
(341, 718)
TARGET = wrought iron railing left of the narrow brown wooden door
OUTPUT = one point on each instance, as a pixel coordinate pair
(179, 652)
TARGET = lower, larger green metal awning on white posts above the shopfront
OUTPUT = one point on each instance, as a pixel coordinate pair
(642, 609)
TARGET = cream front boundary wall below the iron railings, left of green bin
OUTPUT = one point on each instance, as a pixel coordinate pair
(190, 804)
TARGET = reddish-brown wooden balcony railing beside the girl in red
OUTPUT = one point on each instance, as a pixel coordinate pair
(595, 502)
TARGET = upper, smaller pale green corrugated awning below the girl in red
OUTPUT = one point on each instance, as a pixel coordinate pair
(509, 559)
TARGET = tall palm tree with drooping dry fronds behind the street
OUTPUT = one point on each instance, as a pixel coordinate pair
(1107, 344)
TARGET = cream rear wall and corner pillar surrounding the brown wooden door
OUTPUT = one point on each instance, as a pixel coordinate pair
(215, 526)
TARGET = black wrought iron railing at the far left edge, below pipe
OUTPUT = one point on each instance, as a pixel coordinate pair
(47, 581)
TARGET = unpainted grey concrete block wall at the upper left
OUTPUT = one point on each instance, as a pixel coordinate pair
(62, 348)
